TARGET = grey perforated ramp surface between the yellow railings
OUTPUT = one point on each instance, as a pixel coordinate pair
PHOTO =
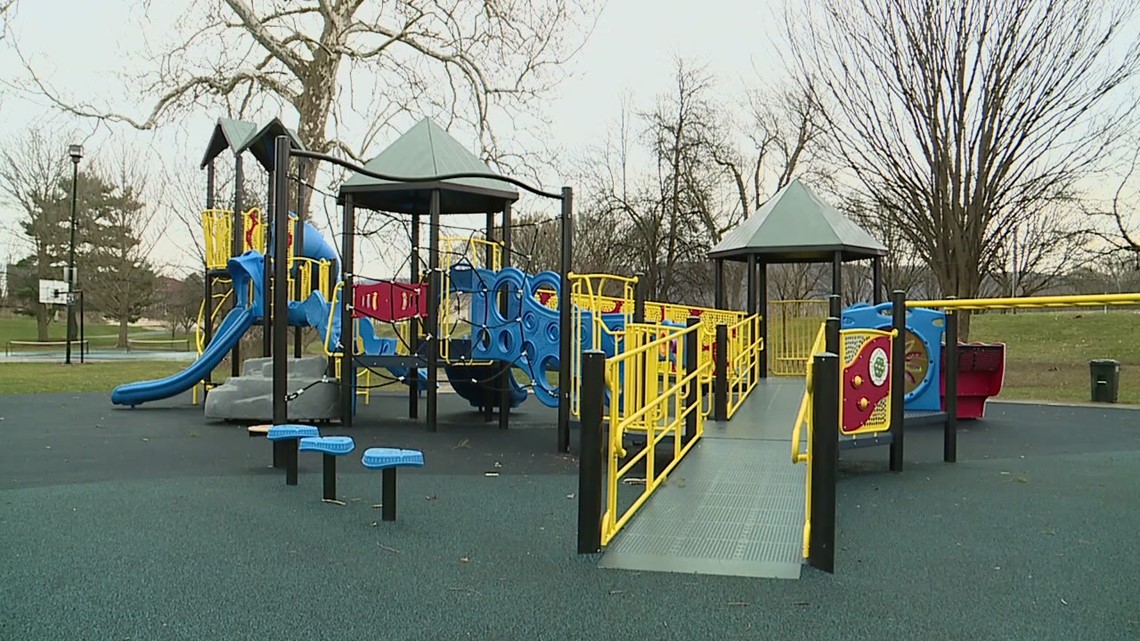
(735, 506)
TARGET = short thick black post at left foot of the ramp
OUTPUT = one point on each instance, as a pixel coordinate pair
(592, 452)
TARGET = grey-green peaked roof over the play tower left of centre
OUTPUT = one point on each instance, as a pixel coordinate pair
(428, 150)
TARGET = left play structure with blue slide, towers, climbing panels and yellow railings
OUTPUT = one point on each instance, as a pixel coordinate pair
(483, 322)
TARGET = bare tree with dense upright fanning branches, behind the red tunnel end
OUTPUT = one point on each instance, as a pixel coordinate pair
(962, 119)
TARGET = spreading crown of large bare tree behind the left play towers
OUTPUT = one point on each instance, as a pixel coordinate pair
(333, 61)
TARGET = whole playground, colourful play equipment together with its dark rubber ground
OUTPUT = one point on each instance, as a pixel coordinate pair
(575, 460)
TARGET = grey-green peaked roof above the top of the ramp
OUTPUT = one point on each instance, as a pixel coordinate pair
(796, 226)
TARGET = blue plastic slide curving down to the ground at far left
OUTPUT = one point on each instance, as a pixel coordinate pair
(243, 269)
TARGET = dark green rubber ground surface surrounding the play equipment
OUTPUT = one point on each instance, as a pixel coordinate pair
(154, 524)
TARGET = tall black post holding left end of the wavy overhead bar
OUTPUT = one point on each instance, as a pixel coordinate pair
(281, 293)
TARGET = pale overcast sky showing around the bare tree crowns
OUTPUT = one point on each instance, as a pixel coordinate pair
(631, 52)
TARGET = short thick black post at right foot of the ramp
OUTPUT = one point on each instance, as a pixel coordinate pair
(821, 551)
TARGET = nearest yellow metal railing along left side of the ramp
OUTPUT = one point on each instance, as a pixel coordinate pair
(658, 410)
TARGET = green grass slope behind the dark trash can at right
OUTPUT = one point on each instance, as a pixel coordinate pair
(1047, 355)
